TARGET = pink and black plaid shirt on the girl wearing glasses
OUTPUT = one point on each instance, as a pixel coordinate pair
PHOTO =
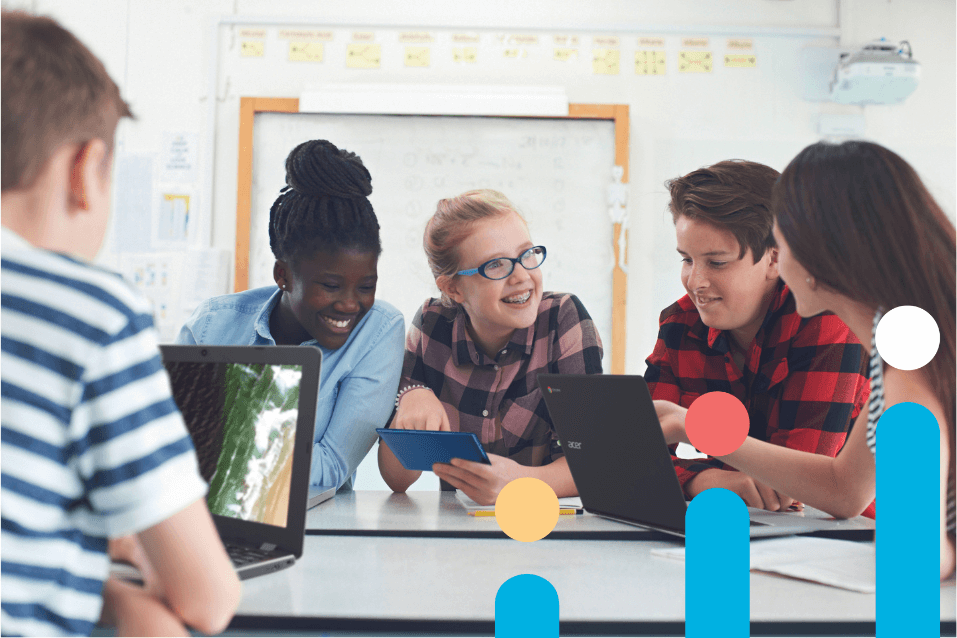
(498, 399)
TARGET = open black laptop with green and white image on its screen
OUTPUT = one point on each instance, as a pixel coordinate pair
(251, 412)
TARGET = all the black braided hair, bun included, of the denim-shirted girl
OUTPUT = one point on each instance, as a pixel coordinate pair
(324, 205)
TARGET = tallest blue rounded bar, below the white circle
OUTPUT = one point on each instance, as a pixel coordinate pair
(908, 527)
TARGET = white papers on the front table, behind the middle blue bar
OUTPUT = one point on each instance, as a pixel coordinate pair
(844, 564)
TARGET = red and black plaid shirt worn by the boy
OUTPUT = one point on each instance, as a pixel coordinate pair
(803, 384)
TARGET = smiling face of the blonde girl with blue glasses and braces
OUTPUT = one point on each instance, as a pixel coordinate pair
(496, 308)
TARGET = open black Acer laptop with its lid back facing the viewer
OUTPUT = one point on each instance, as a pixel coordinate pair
(620, 461)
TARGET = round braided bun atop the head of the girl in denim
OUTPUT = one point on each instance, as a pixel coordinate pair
(318, 168)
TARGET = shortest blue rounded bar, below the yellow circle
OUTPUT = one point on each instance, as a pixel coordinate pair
(526, 606)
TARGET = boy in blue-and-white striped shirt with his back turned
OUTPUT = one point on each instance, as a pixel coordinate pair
(93, 447)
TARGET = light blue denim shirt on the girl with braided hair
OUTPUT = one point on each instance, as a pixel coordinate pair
(357, 383)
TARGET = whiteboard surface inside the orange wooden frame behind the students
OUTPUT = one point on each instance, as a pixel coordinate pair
(556, 172)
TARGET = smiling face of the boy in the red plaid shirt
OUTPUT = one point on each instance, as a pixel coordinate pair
(729, 292)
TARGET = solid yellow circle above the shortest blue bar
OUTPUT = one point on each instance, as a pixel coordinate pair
(527, 509)
